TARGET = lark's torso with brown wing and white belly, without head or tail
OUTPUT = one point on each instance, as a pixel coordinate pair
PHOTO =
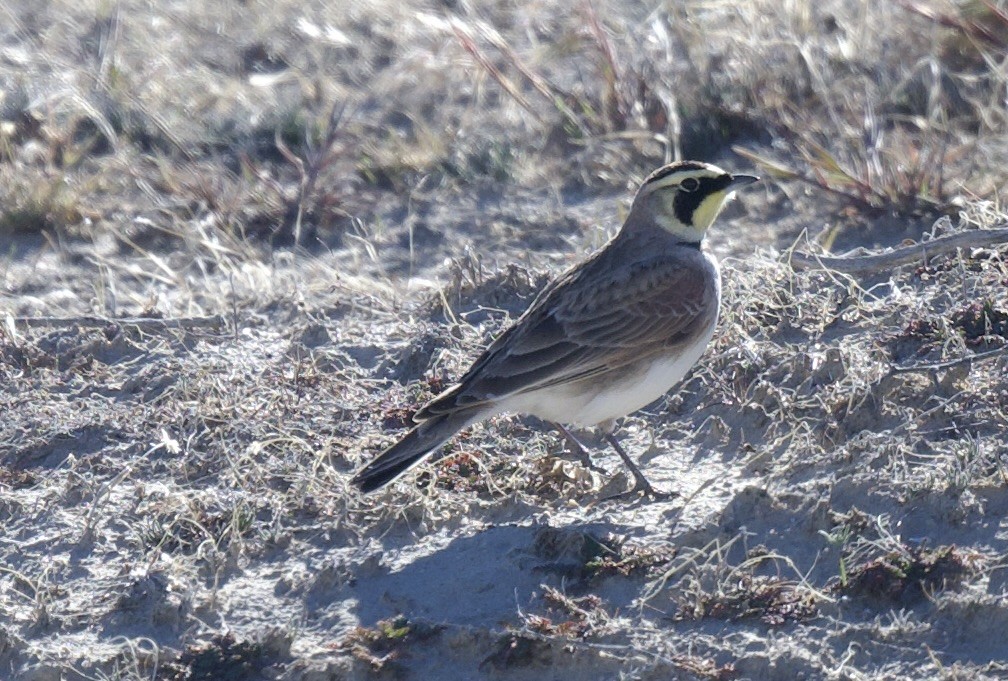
(620, 319)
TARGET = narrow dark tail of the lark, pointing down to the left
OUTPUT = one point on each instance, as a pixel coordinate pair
(415, 446)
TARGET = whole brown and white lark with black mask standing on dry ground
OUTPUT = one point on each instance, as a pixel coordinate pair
(609, 337)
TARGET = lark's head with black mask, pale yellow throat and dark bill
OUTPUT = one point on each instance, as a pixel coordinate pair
(685, 198)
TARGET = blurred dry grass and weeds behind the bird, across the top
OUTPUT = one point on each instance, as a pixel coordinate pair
(311, 124)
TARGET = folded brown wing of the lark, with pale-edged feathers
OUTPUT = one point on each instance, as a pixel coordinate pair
(578, 330)
